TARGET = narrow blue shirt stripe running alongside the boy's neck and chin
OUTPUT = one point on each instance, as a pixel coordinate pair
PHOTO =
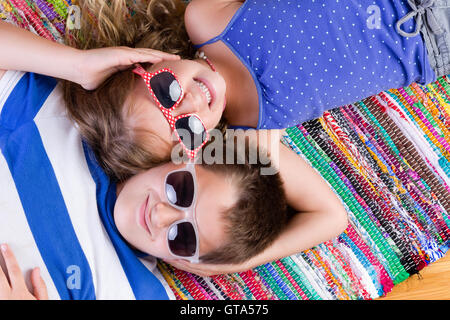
(143, 282)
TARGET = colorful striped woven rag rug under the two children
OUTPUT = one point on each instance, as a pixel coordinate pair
(387, 158)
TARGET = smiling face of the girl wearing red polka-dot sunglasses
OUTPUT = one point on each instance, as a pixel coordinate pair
(204, 95)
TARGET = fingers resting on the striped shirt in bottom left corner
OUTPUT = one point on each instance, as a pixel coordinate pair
(15, 288)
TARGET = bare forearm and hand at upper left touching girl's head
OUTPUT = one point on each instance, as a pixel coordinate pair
(22, 50)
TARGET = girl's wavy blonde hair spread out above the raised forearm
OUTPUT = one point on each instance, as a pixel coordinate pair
(156, 24)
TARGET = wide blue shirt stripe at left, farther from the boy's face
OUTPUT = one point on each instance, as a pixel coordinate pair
(38, 188)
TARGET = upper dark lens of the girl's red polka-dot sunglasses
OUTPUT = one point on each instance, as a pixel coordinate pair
(166, 89)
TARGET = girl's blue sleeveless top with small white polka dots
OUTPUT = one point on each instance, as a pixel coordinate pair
(310, 56)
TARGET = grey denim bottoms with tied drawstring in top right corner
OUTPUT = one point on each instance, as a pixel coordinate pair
(433, 22)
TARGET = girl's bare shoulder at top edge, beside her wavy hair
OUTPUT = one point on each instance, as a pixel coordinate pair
(206, 19)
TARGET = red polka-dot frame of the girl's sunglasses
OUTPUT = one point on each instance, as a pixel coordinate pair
(167, 112)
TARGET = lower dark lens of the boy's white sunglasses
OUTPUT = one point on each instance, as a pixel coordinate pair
(182, 239)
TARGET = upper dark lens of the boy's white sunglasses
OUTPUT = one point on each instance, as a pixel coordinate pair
(180, 188)
